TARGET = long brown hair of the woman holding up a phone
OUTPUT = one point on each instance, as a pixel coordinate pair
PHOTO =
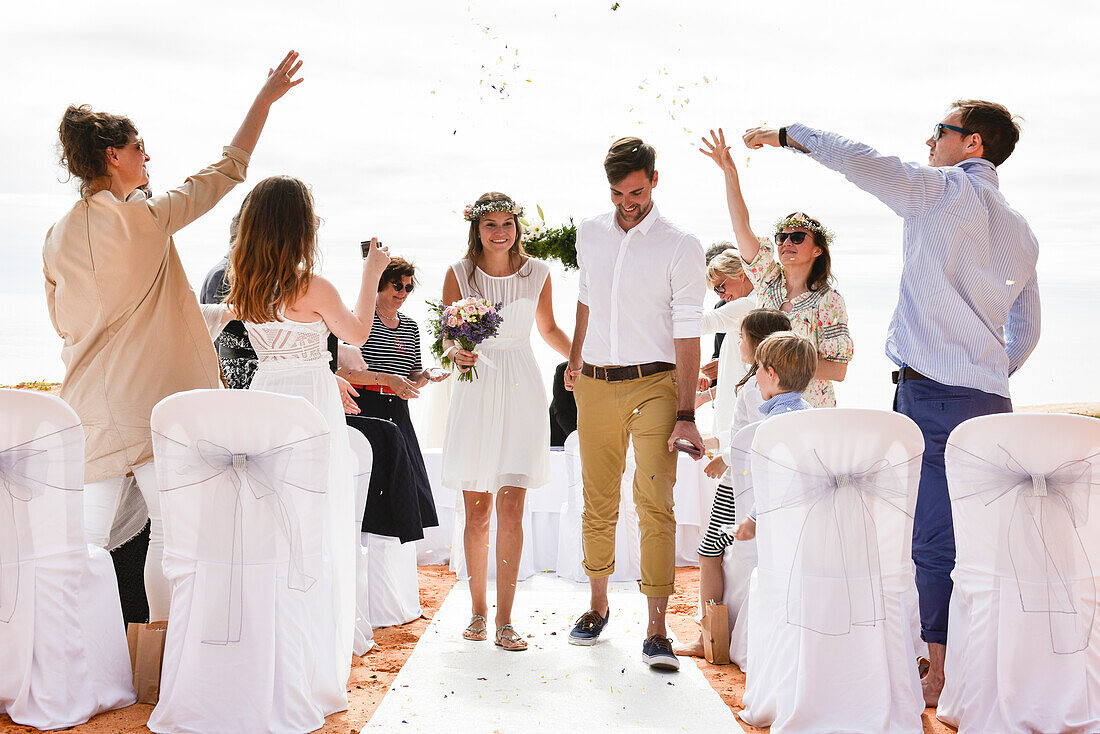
(273, 258)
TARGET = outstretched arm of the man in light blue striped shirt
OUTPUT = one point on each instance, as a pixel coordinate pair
(908, 189)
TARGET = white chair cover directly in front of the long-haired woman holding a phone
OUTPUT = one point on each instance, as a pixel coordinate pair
(250, 645)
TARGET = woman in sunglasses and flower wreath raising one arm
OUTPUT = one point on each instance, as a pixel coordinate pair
(800, 283)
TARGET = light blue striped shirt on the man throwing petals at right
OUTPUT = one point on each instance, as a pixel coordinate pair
(969, 311)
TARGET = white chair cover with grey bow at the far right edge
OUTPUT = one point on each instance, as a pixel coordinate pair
(1024, 641)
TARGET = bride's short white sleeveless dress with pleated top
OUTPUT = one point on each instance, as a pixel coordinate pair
(499, 426)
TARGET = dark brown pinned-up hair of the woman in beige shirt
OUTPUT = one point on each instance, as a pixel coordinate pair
(84, 137)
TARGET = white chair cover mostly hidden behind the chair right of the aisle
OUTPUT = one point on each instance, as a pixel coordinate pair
(741, 557)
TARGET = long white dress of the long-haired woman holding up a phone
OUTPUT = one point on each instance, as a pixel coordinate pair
(294, 360)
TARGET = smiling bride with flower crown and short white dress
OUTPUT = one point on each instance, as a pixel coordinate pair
(498, 440)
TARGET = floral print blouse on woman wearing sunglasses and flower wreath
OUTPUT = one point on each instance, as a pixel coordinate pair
(820, 316)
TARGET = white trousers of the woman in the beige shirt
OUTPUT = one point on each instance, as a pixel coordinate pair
(101, 506)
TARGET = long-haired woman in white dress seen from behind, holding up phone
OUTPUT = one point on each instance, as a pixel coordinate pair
(289, 313)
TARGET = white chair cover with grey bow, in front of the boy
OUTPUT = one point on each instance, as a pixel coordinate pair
(830, 640)
